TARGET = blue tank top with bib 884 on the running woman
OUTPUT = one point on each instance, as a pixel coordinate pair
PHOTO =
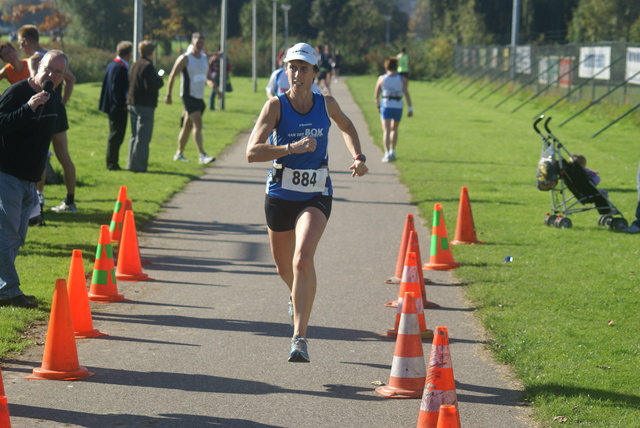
(301, 176)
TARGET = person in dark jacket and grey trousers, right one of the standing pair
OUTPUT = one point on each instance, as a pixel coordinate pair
(142, 100)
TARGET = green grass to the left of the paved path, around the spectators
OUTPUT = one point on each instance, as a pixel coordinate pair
(47, 252)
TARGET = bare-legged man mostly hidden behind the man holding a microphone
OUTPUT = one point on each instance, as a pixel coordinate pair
(29, 41)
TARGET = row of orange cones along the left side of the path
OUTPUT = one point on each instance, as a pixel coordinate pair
(70, 316)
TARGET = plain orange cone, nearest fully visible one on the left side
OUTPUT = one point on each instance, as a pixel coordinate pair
(60, 360)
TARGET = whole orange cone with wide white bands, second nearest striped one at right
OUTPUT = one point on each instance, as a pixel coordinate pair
(408, 368)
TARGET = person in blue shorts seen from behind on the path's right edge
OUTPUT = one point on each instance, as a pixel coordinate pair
(391, 86)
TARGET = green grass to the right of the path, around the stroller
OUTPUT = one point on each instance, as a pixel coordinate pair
(564, 313)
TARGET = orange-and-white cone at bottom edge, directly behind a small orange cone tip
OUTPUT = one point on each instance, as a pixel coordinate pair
(439, 386)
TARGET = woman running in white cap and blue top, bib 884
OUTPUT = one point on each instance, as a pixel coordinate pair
(292, 132)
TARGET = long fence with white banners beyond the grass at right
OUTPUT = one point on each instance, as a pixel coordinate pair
(591, 73)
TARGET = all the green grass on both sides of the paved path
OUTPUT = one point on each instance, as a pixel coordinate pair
(563, 314)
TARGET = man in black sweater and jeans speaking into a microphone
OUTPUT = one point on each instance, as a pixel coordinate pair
(25, 136)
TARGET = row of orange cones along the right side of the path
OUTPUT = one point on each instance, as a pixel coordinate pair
(409, 377)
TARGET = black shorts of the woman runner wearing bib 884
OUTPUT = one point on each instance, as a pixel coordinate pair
(282, 214)
